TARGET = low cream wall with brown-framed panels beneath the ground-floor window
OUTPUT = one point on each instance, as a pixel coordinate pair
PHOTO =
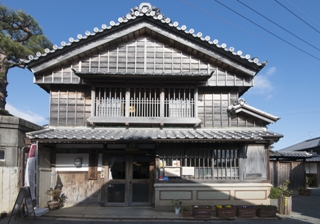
(211, 194)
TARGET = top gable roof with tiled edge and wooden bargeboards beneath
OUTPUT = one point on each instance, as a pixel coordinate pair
(146, 22)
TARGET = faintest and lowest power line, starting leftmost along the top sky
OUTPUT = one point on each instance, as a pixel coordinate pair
(249, 32)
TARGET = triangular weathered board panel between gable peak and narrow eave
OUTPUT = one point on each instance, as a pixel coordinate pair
(144, 55)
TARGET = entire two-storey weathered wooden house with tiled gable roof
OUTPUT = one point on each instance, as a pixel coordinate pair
(144, 111)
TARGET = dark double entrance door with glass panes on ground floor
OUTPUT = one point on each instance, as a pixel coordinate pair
(130, 179)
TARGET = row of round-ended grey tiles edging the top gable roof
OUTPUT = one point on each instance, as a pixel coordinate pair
(145, 9)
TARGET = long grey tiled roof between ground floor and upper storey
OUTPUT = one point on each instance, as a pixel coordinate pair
(111, 134)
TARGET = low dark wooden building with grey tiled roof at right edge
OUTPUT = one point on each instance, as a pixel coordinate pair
(297, 162)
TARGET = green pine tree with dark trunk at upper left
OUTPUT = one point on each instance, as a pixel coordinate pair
(20, 37)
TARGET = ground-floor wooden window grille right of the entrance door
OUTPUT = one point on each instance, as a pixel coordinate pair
(208, 164)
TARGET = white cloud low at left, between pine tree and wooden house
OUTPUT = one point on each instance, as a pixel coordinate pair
(26, 115)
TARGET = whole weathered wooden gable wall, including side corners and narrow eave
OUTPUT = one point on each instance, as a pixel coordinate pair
(142, 57)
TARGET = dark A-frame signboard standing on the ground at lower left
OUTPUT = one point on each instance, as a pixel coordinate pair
(23, 204)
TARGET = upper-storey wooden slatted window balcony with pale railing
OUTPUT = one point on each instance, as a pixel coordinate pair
(144, 105)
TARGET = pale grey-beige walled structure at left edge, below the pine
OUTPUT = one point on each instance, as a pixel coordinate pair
(12, 136)
